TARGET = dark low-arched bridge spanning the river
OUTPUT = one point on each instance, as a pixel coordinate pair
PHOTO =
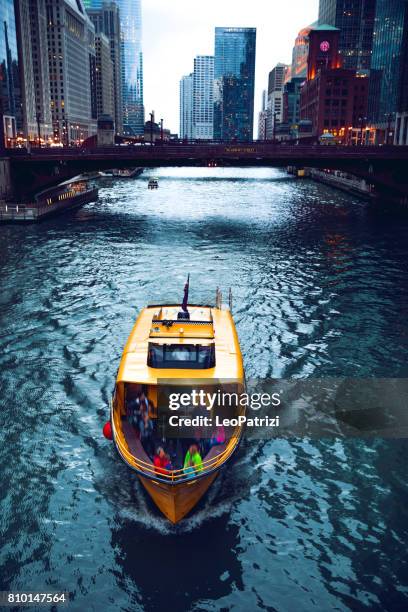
(385, 167)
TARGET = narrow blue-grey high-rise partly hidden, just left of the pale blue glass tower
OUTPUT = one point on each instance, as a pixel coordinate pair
(106, 20)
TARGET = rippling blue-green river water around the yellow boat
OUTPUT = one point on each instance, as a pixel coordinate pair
(320, 285)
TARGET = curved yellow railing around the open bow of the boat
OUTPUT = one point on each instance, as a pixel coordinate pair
(170, 476)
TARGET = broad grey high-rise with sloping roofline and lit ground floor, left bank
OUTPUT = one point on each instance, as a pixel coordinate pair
(72, 70)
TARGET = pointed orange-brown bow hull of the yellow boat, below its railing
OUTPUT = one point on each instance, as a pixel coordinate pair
(176, 501)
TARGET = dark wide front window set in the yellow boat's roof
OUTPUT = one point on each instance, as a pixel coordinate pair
(189, 356)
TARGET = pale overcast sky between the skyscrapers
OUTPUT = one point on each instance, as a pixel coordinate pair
(175, 31)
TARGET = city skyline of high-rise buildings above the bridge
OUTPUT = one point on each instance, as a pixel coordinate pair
(88, 71)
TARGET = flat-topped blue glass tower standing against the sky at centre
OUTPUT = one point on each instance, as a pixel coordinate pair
(234, 81)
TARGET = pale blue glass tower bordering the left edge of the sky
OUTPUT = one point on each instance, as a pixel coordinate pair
(130, 12)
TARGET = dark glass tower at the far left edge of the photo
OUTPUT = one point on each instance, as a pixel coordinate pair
(10, 91)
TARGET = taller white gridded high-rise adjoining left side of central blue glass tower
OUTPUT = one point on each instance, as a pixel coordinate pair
(203, 97)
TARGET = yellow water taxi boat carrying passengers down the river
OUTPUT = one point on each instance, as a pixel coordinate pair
(177, 344)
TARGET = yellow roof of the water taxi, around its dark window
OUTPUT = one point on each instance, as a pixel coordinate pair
(159, 324)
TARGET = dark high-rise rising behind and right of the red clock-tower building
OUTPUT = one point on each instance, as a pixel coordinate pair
(355, 20)
